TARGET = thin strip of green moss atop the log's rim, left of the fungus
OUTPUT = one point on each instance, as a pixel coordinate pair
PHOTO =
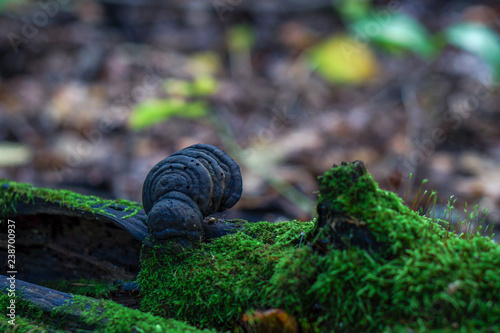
(12, 193)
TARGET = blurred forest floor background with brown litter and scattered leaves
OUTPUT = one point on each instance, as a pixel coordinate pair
(93, 93)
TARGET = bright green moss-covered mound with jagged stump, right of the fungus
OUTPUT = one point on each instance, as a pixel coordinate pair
(368, 264)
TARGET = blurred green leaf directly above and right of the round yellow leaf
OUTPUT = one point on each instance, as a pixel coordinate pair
(395, 33)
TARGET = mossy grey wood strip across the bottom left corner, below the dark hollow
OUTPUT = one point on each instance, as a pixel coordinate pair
(36, 308)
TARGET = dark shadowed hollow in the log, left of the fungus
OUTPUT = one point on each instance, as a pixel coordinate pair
(60, 247)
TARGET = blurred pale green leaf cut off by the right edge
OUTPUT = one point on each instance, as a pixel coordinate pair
(479, 40)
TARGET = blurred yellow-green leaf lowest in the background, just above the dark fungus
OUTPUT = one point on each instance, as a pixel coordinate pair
(155, 111)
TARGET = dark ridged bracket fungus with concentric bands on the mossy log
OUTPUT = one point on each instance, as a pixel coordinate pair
(185, 187)
